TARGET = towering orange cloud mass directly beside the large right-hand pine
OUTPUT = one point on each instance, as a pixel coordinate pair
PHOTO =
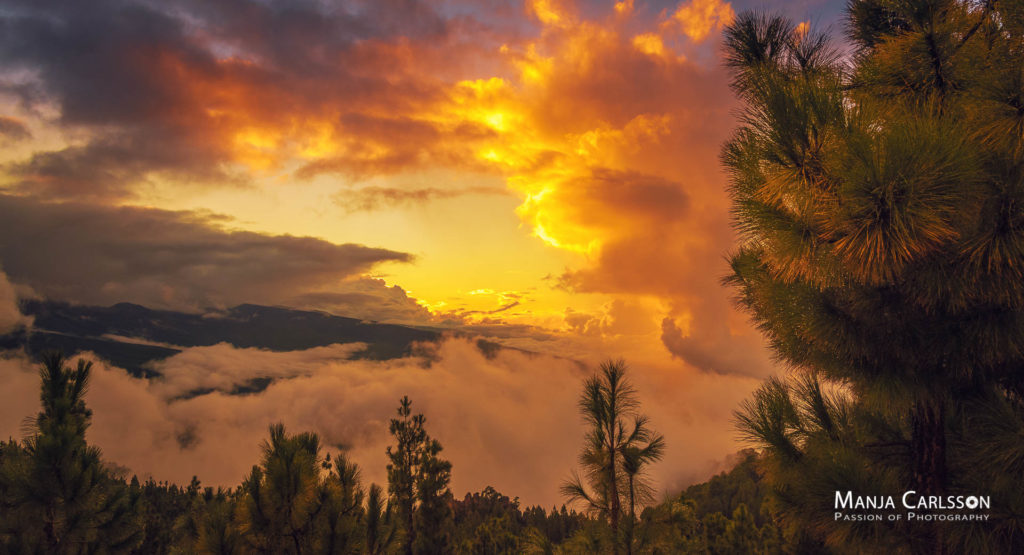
(617, 160)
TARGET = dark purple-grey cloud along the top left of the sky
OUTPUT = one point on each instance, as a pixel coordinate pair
(114, 62)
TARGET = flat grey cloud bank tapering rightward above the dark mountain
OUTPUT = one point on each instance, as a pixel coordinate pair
(103, 255)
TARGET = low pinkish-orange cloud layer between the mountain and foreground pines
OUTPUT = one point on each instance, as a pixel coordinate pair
(508, 421)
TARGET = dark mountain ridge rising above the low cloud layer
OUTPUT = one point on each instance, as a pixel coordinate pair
(132, 336)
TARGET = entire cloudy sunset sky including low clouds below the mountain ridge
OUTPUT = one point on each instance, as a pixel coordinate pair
(542, 174)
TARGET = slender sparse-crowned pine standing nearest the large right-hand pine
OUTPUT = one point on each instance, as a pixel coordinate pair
(618, 446)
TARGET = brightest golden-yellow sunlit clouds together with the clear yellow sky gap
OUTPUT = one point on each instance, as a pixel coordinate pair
(544, 124)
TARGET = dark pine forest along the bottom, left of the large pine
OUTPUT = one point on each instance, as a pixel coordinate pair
(57, 496)
